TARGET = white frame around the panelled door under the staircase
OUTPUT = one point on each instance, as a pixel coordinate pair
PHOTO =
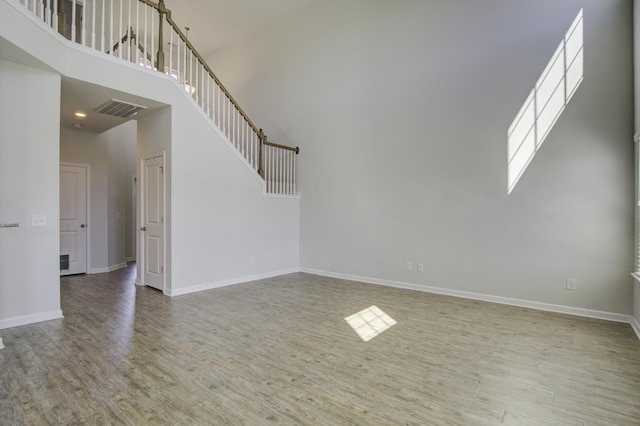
(140, 255)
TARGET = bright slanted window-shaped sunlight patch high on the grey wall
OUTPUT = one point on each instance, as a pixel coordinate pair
(542, 108)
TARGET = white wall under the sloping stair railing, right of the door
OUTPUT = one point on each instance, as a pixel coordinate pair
(223, 229)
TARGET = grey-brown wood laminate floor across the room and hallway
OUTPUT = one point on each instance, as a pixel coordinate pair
(278, 351)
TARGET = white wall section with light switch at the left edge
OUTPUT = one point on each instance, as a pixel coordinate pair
(29, 184)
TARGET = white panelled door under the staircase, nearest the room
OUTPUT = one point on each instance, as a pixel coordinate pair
(153, 222)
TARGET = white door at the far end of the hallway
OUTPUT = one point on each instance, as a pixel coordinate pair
(73, 217)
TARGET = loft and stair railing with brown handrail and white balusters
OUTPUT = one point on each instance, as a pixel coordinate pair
(144, 32)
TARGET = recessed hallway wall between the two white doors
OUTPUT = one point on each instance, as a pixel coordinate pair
(108, 155)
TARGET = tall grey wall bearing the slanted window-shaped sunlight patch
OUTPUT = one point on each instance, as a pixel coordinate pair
(401, 110)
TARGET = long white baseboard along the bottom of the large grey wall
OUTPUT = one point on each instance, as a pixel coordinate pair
(570, 310)
